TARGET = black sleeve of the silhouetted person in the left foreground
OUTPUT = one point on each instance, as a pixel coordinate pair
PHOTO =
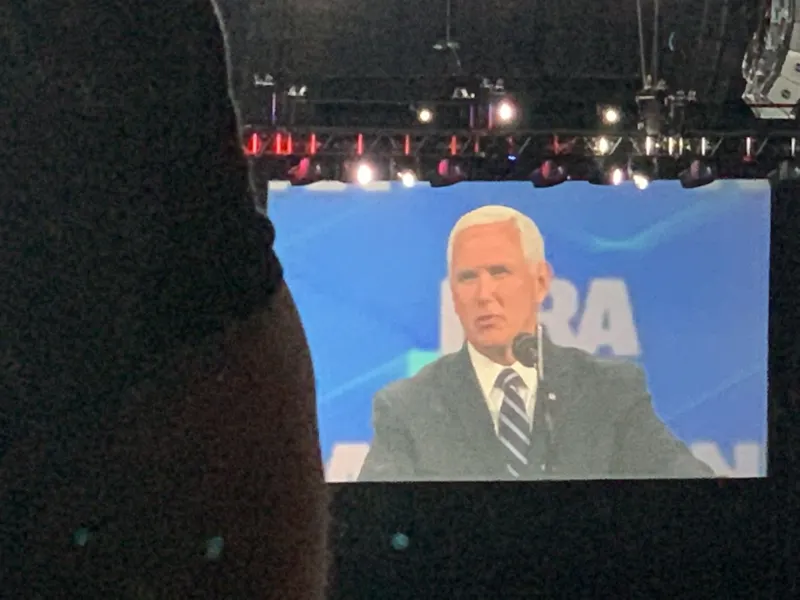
(119, 166)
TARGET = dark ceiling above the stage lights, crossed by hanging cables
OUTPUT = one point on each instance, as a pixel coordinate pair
(701, 42)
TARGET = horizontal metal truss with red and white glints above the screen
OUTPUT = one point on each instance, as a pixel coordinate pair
(747, 145)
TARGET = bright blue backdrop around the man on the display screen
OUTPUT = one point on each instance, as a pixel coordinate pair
(366, 266)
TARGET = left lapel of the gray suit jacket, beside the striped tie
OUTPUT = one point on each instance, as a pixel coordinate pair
(465, 400)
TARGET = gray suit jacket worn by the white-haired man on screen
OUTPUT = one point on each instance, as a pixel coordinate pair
(436, 426)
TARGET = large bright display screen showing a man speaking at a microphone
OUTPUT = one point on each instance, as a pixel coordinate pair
(494, 331)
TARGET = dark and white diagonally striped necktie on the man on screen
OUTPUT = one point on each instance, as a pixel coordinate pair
(514, 426)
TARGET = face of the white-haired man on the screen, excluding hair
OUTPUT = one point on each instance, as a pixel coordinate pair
(496, 292)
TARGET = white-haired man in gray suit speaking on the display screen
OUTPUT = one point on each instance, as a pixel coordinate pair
(480, 414)
